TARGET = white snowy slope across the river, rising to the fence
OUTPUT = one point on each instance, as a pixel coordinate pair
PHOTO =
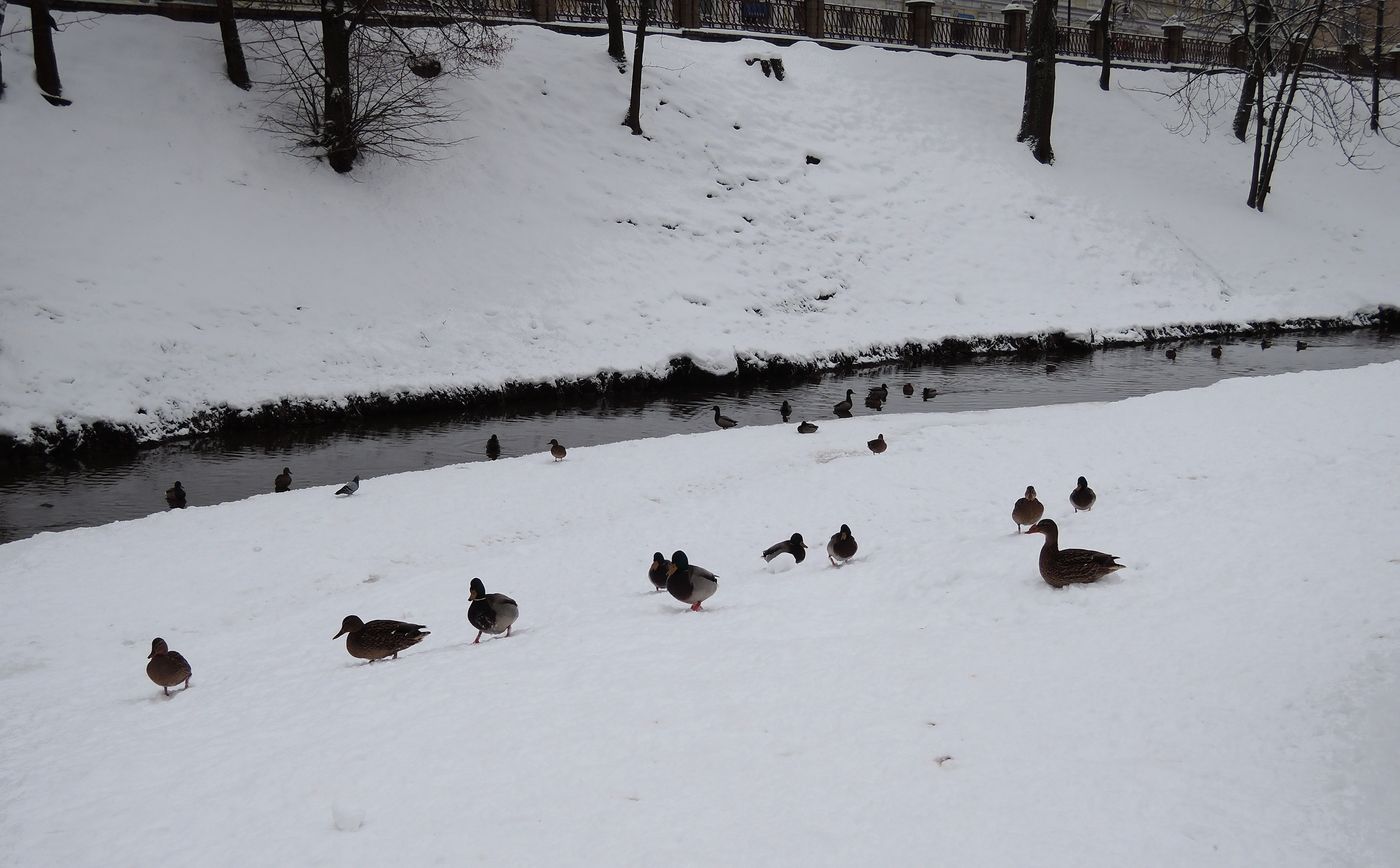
(163, 257)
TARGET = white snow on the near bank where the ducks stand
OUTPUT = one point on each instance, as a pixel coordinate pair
(1230, 699)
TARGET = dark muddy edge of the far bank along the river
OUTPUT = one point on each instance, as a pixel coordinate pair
(108, 440)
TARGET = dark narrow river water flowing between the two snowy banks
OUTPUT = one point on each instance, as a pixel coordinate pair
(218, 470)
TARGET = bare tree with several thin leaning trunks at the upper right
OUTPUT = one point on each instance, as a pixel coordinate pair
(1296, 82)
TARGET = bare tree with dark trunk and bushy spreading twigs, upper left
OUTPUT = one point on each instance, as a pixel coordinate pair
(362, 82)
